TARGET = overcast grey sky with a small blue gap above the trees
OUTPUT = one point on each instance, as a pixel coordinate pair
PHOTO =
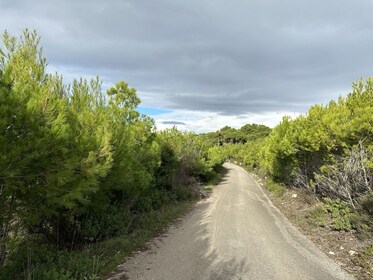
(202, 64)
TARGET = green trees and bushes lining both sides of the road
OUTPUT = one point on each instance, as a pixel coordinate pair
(80, 166)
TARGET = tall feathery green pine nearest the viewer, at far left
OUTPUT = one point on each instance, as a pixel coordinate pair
(56, 143)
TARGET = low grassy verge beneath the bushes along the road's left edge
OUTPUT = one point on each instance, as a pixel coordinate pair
(34, 260)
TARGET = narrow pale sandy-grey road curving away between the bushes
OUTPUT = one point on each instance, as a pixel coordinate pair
(235, 234)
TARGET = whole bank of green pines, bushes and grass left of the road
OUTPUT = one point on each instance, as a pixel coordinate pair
(84, 177)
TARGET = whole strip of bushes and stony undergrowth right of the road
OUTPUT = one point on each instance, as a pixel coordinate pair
(322, 158)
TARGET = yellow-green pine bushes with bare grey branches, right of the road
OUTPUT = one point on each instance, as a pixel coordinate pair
(338, 135)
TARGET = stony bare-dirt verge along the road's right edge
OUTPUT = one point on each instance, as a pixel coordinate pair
(342, 246)
